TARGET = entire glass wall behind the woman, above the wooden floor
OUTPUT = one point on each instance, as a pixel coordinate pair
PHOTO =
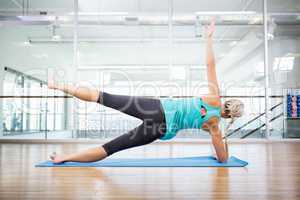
(131, 48)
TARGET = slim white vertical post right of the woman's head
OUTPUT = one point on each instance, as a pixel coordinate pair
(266, 66)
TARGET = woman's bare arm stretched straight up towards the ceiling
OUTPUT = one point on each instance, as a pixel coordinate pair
(210, 61)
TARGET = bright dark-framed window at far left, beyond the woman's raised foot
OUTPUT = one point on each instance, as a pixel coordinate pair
(30, 114)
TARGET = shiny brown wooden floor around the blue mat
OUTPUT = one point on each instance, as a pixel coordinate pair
(273, 173)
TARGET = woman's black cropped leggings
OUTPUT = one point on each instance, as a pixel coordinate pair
(149, 110)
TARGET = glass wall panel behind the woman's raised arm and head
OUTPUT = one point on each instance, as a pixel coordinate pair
(238, 50)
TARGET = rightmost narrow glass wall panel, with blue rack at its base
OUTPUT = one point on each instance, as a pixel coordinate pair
(284, 60)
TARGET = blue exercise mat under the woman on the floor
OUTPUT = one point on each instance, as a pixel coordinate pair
(205, 161)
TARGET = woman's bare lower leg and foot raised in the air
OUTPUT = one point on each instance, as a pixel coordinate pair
(81, 92)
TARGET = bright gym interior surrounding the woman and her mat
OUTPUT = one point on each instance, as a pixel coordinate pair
(154, 49)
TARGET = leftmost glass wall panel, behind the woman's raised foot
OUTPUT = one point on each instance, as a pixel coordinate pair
(35, 33)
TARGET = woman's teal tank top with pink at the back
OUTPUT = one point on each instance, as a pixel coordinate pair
(185, 113)
